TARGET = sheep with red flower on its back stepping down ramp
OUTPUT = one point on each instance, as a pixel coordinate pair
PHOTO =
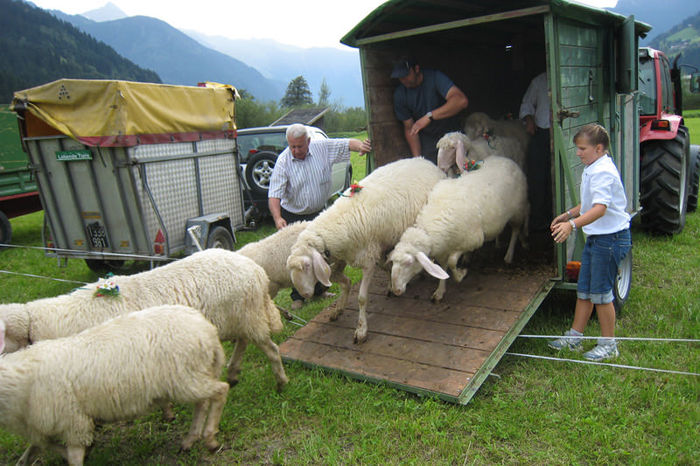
(360, 227)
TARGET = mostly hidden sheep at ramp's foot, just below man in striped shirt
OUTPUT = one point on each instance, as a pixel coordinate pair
(271, 254)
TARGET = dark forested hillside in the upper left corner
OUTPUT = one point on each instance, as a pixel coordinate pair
(36, 47)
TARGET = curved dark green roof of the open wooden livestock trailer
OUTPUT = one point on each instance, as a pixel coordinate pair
(403, 18)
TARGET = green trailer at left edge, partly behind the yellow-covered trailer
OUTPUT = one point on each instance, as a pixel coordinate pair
(18, 190)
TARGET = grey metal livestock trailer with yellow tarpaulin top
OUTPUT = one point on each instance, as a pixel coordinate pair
(132, 171)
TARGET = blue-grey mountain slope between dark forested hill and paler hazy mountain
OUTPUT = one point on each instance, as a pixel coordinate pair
(177, 58)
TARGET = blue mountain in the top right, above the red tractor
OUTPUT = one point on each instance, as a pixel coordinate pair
(662, 15)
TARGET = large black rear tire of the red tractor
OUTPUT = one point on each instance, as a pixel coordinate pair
(664, 183)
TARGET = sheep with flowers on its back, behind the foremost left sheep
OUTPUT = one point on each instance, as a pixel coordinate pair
(229, 289)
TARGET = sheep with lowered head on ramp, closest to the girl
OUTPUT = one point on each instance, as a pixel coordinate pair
(460, 214)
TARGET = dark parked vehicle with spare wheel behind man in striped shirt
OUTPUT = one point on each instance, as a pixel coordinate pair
(258, 151)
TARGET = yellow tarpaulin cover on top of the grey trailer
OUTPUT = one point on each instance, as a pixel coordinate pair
(124, 113)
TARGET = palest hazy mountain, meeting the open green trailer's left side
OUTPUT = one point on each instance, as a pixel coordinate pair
(340, 68)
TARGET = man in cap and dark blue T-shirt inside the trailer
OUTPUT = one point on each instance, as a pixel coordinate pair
(427, 103)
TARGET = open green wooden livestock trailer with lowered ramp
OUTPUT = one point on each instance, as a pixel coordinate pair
(491, 50)
